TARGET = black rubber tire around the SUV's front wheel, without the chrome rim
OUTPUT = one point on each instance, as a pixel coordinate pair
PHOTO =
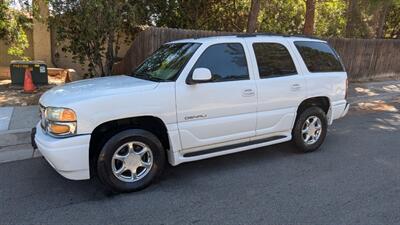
(104, 162)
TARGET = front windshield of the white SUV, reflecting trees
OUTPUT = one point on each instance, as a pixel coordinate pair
(166, 62)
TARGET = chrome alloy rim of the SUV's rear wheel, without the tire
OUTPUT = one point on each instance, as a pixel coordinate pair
(311, 130)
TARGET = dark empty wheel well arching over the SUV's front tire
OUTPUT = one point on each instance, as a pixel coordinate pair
(106, 130)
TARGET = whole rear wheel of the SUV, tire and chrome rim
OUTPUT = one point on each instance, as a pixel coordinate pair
(310, 129)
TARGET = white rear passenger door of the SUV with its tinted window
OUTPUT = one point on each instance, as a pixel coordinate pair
(280, 85)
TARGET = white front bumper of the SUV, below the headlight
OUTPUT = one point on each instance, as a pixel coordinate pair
(68, 156)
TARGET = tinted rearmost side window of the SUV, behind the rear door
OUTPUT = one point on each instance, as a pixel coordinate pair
(319, 57)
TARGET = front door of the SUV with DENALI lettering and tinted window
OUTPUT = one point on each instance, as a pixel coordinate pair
(221, 111)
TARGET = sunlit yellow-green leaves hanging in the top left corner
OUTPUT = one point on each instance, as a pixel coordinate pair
(13, 24)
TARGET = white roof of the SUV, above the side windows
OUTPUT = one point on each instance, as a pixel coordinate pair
(276, 37)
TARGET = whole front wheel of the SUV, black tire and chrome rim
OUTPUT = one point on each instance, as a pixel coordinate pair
(130, 160)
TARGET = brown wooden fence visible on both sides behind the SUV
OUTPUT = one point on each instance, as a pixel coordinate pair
(363, 59)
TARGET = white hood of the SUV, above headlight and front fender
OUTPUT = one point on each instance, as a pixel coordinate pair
(93, 88)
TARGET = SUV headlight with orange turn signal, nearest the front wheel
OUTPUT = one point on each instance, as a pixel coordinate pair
(59, 122)
